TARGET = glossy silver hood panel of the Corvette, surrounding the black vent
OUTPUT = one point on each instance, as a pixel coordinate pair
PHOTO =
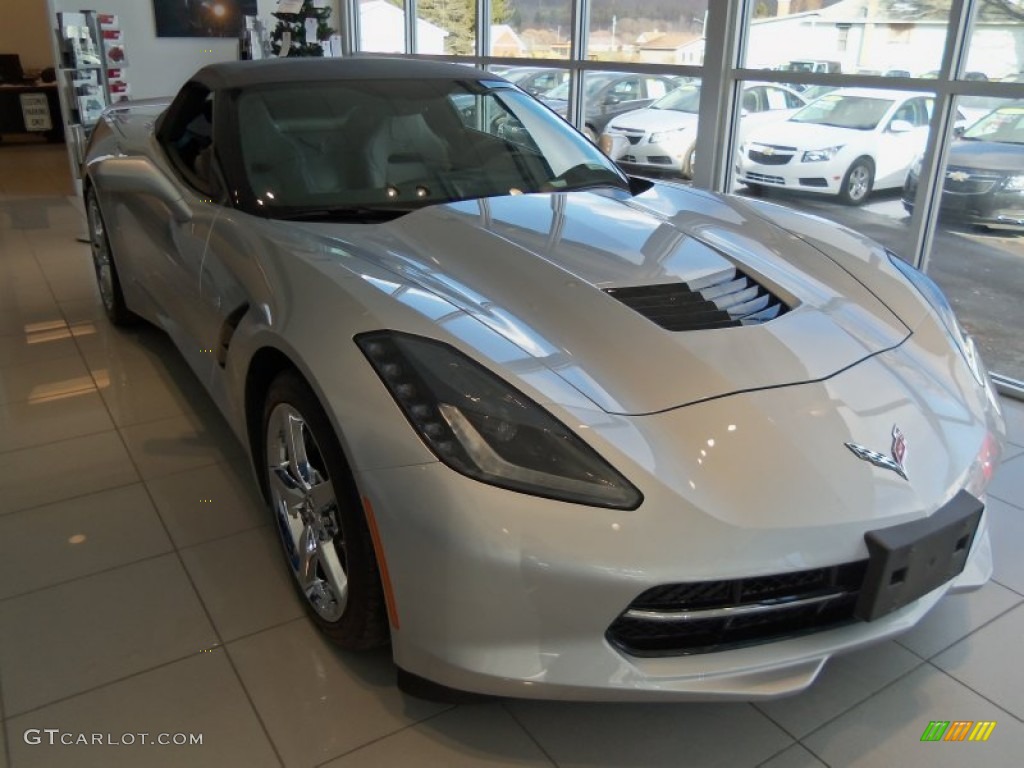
(536, 269)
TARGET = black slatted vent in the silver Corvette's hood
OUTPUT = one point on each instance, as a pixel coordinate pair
(724, 300)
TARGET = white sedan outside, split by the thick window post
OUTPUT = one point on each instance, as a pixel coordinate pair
(663, 138)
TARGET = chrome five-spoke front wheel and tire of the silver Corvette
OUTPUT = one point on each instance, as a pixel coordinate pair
(320, 519)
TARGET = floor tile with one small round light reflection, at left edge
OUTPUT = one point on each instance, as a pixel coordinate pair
(48, 545)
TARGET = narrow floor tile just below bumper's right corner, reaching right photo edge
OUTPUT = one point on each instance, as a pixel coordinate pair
(957, 617)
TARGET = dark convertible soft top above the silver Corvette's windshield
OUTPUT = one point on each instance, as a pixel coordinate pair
(231, 75)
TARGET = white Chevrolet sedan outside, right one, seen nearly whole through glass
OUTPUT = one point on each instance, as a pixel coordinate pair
(847, 144)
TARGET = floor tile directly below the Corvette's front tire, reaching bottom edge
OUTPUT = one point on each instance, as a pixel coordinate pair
(318, 703)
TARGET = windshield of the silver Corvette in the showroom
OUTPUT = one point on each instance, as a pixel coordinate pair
(362, 150)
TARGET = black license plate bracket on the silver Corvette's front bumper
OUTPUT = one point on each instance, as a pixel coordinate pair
(910, 561)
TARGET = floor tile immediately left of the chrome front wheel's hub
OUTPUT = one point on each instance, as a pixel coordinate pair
(209, 502)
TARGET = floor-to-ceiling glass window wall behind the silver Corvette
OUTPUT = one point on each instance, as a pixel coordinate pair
(839, 110)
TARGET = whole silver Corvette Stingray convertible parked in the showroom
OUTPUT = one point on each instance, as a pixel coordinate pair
(549, 431)
